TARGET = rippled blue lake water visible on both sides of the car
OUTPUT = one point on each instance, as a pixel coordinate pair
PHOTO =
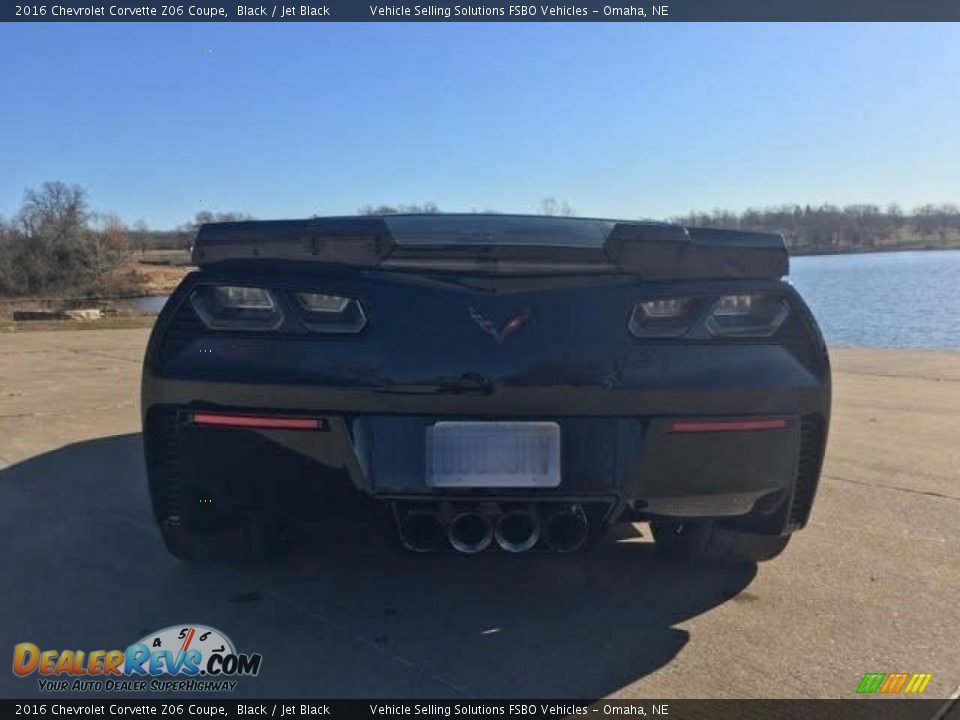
(893, 299)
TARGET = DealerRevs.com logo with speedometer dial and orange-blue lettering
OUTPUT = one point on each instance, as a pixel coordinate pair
(181, 658)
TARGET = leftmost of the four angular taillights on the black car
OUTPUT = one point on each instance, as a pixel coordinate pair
(236, 307)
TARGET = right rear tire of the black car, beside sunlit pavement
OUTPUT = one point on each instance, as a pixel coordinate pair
(706, 542)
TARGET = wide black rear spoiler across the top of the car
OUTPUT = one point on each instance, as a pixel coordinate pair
(499, 244)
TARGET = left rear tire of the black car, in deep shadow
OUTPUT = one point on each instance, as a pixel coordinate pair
(252, 542)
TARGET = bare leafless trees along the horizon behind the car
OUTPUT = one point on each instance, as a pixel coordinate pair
(56, 243)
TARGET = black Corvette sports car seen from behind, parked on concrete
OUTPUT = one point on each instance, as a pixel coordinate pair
(486, 381)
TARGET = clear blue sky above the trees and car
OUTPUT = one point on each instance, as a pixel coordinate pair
(159, 121)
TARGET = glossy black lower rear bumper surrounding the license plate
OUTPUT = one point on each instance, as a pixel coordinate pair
(638, 467)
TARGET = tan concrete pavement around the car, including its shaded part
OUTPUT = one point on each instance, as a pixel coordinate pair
(870, 586)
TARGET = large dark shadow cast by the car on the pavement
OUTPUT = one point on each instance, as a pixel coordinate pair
(347, 614)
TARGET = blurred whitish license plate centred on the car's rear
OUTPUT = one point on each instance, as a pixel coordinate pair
(493, 454)
